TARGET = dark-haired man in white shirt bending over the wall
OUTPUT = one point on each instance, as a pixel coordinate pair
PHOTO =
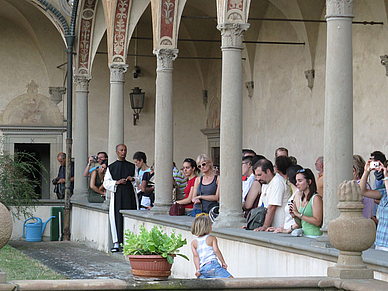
(274, 195)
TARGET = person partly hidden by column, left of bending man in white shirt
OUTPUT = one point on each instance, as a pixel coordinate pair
(251, 190)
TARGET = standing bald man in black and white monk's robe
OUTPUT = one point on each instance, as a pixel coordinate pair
(117, 181)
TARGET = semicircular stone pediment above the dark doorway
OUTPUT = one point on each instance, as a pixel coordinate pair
(32, 109)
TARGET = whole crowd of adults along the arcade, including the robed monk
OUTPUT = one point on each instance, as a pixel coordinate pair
(290, 193)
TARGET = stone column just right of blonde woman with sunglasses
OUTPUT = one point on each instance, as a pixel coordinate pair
(231, 125)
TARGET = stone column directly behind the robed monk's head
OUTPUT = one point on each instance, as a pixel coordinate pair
(116, 108)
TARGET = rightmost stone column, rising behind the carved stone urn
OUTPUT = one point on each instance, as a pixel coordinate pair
(338, 129)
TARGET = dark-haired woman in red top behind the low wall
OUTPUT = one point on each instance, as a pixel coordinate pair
(190, 170)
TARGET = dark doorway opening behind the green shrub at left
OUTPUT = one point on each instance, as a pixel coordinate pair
(42, 153)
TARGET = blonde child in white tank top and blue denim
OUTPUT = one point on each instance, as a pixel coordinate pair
(206, 251)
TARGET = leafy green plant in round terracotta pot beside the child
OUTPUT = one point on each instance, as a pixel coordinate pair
(151, 253)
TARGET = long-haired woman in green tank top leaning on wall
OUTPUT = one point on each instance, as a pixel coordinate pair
(307, 208)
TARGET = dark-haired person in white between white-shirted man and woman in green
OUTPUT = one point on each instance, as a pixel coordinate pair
(289, 222)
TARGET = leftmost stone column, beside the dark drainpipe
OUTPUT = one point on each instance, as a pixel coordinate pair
(81, 145)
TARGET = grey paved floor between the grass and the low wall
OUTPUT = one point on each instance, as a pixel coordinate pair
(75, 260)
